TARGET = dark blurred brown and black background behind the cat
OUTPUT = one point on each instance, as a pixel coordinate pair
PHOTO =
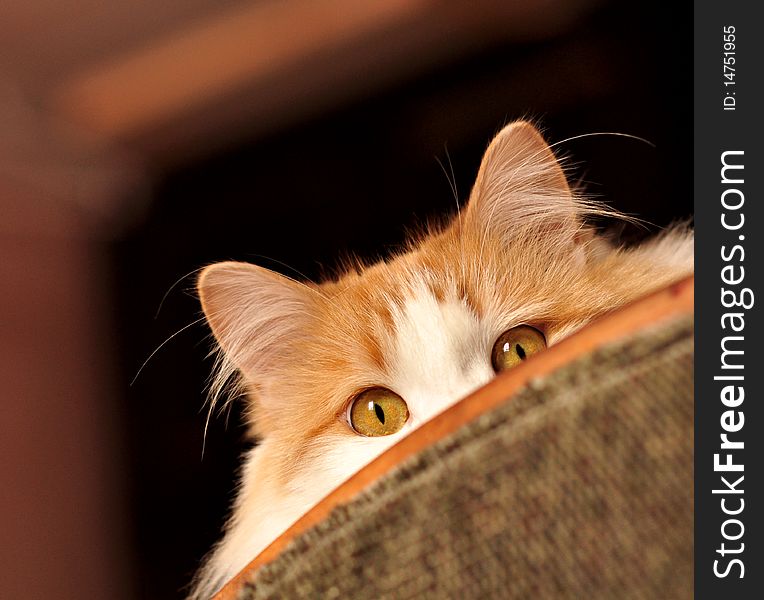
(143, 140)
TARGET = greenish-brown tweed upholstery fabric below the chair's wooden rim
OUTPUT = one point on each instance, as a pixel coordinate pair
(581, 486)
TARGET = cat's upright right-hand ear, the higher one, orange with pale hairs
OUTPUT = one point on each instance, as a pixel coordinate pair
(521, 187)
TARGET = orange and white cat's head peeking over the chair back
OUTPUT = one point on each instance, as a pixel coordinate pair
(400, 340)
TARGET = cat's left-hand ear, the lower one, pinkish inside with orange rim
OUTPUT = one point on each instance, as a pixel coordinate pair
(253, 312)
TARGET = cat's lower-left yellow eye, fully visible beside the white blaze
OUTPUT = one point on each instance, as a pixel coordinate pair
(378, 411)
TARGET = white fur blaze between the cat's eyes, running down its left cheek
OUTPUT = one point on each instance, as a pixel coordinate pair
(439, 354)
